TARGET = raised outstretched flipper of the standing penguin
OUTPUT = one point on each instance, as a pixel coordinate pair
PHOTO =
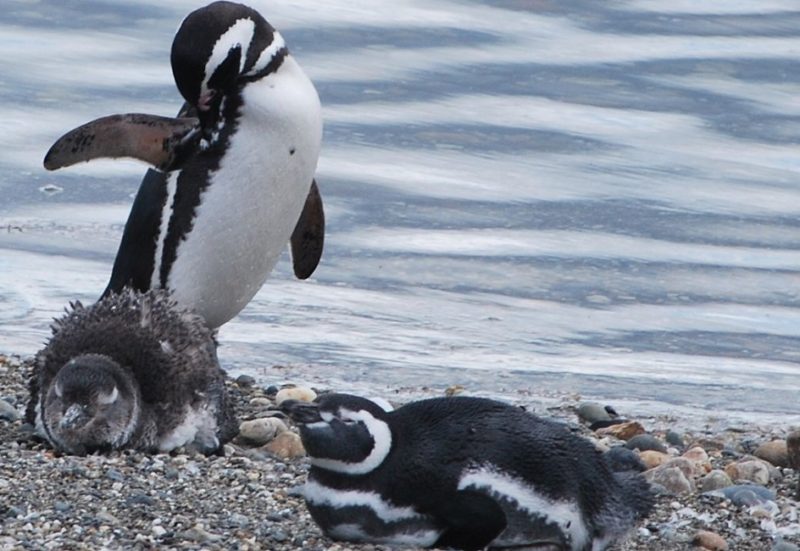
(160, 141)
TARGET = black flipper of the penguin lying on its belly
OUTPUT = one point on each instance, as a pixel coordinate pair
(473, 520)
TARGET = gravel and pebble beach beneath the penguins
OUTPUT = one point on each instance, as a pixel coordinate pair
(246, 498)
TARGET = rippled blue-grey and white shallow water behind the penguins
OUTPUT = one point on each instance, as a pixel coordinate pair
(559, 196)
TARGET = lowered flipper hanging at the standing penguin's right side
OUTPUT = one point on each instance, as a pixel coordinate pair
(308, 236)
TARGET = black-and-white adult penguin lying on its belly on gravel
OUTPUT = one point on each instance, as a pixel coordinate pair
(460, 472)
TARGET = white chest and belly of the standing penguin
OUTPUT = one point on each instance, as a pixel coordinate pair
(253, 200)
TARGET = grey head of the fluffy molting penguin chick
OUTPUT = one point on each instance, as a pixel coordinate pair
(91, 404)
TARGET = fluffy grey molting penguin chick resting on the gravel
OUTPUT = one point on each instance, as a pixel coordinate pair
(133, 370)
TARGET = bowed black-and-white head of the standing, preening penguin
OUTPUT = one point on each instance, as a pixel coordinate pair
(219, 48)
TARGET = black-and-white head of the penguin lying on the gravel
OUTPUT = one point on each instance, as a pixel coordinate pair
(343, 433)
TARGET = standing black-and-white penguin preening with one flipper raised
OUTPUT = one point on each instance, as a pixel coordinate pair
(233, 174)
